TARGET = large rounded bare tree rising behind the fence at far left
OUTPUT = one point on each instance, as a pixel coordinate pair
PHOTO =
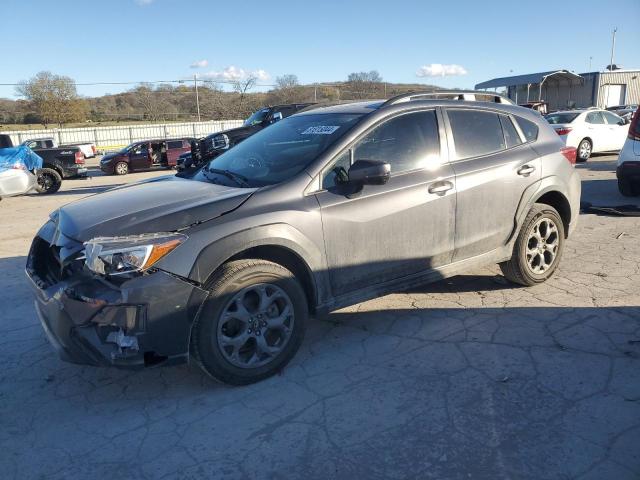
(54, 97)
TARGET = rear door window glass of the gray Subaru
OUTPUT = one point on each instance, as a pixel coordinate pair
(476, 132)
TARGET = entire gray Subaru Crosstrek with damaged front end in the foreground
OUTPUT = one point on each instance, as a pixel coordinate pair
(324, 209)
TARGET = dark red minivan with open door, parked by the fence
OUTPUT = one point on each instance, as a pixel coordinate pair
(145, 154)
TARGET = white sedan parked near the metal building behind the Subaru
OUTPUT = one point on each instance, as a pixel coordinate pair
(589, 130)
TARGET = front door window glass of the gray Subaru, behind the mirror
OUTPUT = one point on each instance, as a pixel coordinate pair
(405, 142)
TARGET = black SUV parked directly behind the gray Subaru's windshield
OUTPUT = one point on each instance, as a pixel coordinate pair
(213, 145)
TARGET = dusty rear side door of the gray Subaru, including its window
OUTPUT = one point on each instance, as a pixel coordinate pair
(493, 165)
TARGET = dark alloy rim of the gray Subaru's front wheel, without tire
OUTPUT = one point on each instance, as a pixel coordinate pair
(256, 325)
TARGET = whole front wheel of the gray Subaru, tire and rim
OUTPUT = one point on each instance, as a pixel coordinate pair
(226, 339)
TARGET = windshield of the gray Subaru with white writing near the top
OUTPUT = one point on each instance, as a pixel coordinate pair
(278, 152)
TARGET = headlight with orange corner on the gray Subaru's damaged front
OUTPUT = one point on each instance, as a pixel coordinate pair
(120, 255)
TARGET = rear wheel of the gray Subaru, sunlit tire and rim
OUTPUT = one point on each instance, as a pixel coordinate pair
(535, 258)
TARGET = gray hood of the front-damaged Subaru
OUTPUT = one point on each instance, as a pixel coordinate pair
(162, 204)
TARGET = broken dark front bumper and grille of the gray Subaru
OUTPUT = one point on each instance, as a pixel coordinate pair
(140, 321)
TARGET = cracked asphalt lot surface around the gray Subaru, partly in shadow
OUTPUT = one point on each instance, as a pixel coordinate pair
(468, 378)
